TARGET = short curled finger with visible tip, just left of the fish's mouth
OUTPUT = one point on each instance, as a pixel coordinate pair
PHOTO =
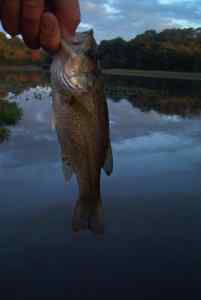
(50, 32)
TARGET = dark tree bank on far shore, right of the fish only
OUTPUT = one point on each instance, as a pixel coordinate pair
(169, 50)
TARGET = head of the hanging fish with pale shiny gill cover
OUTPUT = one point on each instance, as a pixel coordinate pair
(73, 70)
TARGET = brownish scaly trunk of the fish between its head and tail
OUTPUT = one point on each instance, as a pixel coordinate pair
(82, 127)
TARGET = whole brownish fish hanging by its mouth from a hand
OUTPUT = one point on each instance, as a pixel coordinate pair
(81, 120)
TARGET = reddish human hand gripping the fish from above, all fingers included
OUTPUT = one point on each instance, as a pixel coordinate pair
(40, 22)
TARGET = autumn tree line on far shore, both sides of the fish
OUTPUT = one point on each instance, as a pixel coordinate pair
(168, 50)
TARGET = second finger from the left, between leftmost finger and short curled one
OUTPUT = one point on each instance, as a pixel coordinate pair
(32, 11)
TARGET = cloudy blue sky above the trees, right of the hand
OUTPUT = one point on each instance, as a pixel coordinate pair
(127, 18)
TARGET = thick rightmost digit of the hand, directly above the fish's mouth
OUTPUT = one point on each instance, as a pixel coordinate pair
(68, 14)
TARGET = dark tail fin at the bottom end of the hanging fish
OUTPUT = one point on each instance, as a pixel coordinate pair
(88, 216)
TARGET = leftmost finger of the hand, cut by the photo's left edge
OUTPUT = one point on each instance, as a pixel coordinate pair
(10, 15)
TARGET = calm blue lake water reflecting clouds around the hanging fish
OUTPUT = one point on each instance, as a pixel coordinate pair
(152, 208)
